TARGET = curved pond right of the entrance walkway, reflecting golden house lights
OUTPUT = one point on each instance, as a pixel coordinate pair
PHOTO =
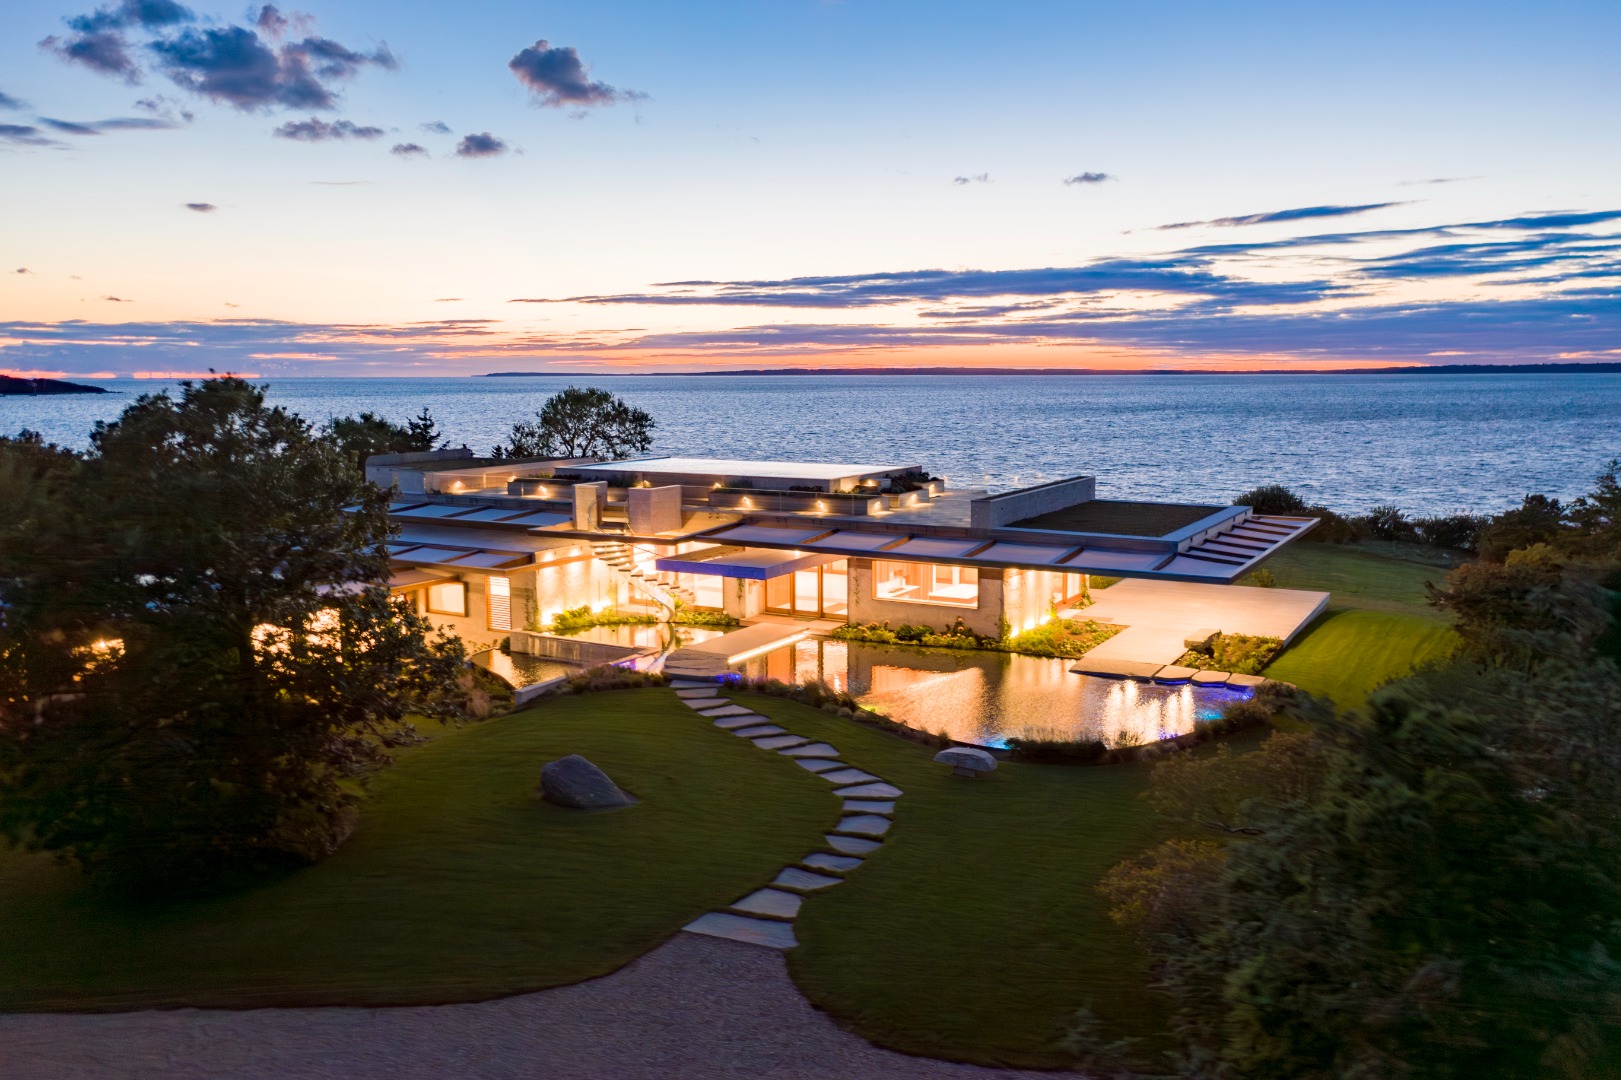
(988, 698)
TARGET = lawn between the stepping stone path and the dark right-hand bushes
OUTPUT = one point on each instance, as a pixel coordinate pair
(977, 932)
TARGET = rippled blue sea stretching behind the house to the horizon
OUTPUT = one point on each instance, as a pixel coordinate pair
(1429, 444)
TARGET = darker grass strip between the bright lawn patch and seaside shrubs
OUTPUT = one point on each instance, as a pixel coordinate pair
(1369, 578)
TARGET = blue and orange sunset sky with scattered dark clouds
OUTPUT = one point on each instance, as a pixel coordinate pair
(379, 189)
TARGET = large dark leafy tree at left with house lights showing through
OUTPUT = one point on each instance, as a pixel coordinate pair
(203, 656)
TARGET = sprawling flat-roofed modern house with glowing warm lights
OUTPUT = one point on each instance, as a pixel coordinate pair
(492, 547)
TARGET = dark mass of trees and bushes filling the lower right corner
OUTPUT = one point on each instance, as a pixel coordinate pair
(1431, 888)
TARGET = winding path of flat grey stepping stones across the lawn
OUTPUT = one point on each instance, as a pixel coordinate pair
(766, 915)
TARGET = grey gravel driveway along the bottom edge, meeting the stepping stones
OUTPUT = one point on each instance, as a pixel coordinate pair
(695, 1008)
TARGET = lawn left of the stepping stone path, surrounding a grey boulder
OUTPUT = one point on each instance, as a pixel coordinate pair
(460, 885)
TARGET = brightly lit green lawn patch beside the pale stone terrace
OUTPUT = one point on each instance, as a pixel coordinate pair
(1346, 654)
